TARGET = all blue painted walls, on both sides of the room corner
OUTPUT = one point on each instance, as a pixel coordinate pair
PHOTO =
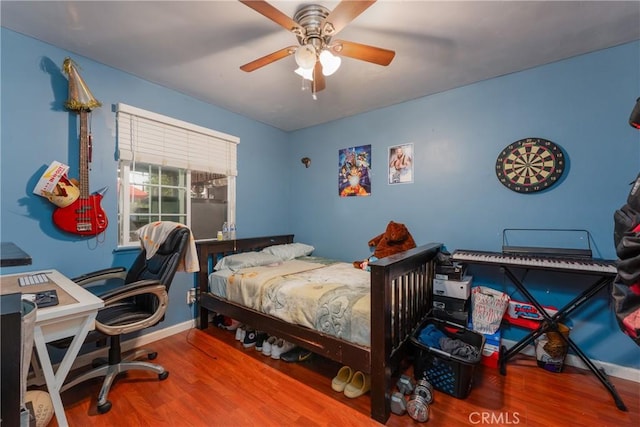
(582, 104)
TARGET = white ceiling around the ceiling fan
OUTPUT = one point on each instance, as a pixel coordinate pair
(197, 47)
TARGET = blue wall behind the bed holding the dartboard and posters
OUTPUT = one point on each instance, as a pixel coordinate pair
(582, 104)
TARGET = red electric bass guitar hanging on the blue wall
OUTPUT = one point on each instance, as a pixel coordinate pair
(85, 216)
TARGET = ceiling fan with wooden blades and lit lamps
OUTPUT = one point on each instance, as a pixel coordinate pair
(314, 25)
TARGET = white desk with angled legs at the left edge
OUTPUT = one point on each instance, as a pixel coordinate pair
(74, 317)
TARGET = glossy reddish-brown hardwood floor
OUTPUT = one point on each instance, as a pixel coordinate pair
(214, 381)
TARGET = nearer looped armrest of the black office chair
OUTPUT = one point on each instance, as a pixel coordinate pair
(141, 287)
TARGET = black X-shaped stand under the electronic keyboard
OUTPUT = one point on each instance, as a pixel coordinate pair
(550, 323)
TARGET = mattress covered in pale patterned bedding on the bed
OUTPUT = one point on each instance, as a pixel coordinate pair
(328, 296)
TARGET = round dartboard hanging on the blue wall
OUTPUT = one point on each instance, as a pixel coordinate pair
(530, 165)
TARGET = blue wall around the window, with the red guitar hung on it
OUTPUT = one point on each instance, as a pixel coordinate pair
(37, 129)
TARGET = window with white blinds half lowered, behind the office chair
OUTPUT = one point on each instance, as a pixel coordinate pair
(173, 171)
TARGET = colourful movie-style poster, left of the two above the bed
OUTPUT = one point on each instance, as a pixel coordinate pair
(354, 165)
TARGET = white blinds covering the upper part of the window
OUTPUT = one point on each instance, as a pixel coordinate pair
(148, 137)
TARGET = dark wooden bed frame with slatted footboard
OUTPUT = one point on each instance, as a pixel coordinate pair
(400, 299)
